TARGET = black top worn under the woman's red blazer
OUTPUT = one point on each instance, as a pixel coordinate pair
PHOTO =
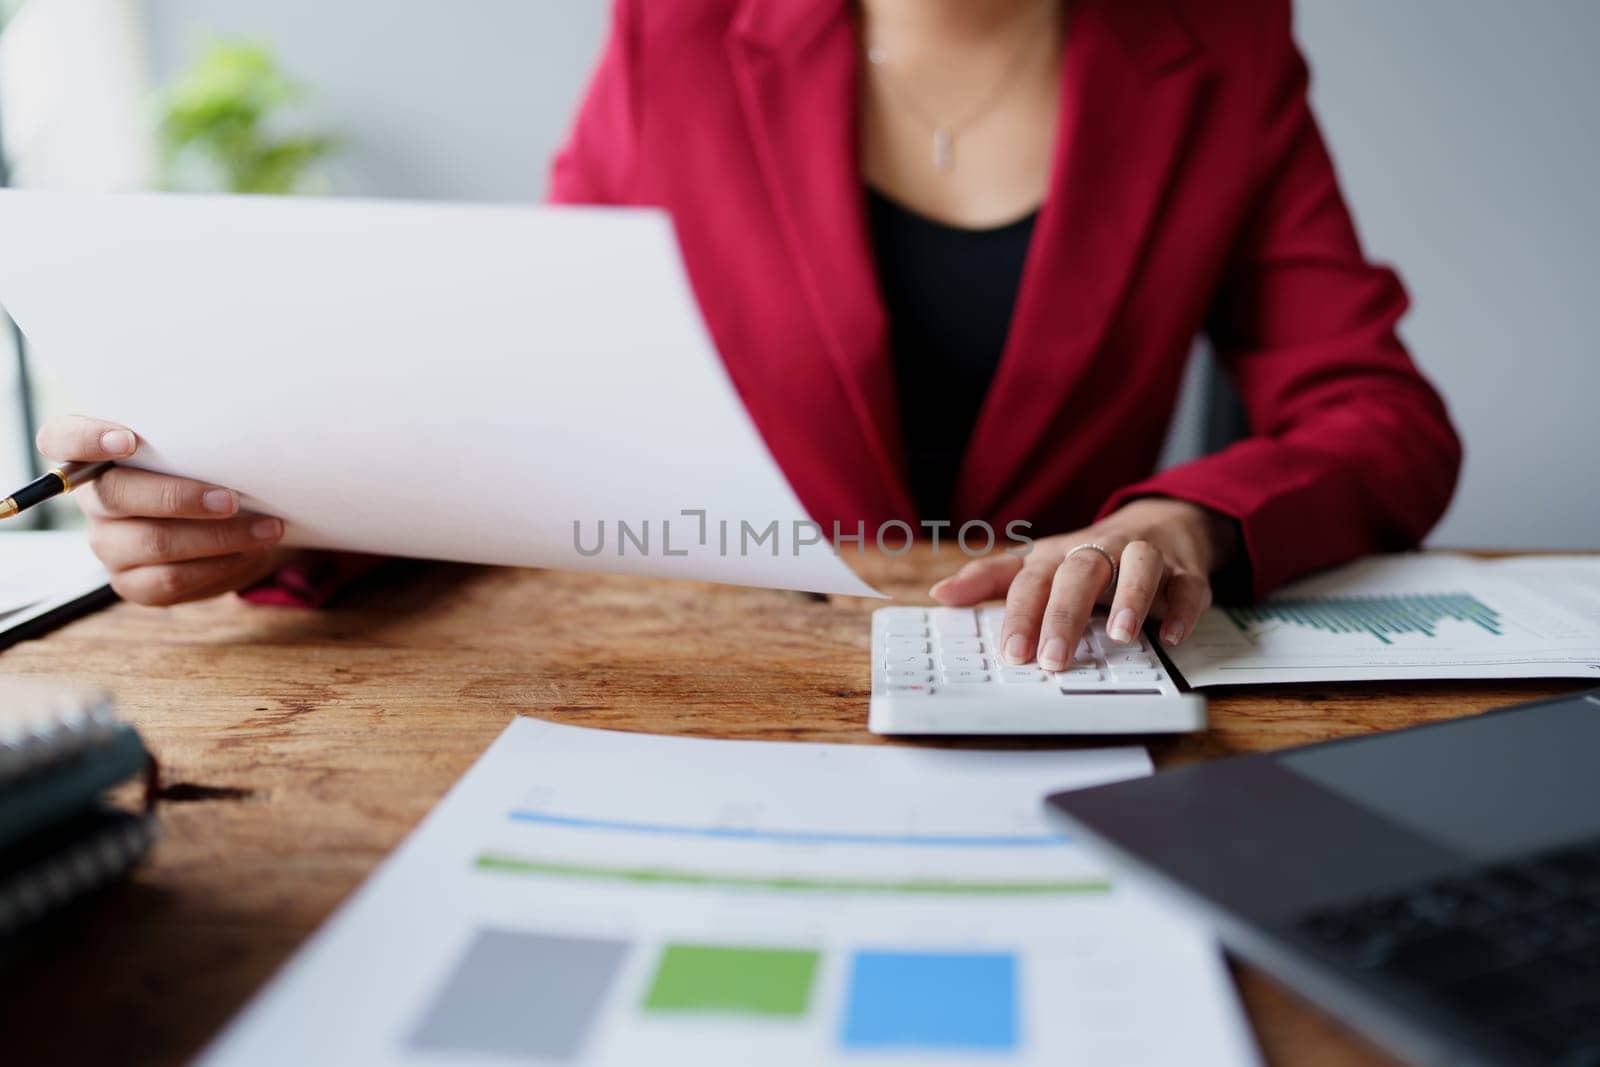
(950, 295)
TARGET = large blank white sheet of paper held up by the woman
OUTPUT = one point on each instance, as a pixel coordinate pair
(457, 383)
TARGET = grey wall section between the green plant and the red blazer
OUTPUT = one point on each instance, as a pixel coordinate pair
(462, 102)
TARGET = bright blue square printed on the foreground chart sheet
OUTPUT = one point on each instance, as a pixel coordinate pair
(932, 1001)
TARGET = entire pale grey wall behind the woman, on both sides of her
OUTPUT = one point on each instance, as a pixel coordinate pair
(1466, 134)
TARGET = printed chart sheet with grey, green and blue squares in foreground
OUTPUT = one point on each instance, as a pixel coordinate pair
(586, 897)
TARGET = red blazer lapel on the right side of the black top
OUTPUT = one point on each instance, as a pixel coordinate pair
(1130, 92)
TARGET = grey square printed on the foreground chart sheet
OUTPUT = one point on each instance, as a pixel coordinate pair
(519, 994)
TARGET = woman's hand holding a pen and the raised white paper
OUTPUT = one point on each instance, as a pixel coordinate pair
(164, 540)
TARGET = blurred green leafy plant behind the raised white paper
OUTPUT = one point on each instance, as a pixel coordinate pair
(222, 124)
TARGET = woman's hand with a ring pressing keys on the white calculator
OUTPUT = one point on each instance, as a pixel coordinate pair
(1167, 551)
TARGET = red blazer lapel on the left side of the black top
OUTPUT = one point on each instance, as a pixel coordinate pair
(796, 68)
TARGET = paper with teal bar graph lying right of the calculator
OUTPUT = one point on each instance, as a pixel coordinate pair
(1430, 615)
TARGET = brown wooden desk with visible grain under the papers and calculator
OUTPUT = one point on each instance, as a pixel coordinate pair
(300, 748)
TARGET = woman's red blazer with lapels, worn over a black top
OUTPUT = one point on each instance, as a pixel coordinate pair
(1191, 193)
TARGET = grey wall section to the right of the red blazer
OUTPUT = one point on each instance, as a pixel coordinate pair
(1468, 135)
